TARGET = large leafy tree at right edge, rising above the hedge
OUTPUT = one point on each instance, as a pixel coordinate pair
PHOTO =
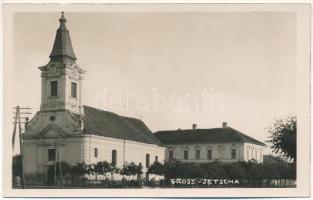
(283, 137)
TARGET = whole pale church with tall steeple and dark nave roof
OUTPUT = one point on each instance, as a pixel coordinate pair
(66, 130)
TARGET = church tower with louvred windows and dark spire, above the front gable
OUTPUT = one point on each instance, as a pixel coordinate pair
(61, 77)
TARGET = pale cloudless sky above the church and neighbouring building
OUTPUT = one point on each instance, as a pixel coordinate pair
(169, 69)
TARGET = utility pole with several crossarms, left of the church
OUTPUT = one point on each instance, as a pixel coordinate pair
(17, 121)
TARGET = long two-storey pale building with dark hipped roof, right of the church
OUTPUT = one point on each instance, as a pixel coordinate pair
(207, 145)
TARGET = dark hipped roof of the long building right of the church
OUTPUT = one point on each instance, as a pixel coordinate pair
(198, 136)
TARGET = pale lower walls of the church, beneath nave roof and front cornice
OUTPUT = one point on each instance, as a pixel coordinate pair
(76, 150)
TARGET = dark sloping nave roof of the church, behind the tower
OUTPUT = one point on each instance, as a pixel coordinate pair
(108, 124)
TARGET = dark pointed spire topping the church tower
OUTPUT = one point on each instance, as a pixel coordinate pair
(62, 49)
